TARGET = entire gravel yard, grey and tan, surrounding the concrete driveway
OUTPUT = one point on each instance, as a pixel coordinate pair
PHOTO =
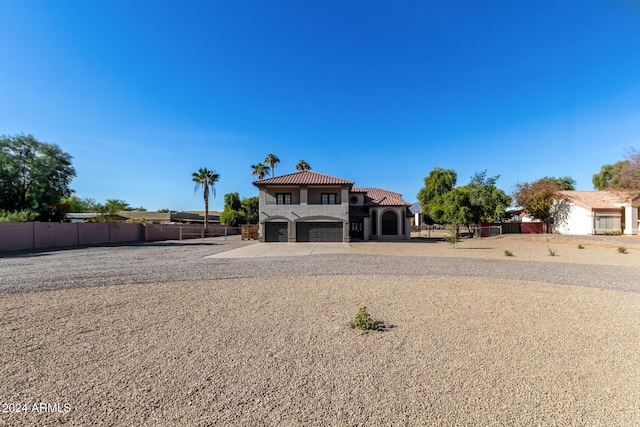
(155, 334)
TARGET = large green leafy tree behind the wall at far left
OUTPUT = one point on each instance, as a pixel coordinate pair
(34, 176)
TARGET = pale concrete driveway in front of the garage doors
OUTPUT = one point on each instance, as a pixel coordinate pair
(283, 249)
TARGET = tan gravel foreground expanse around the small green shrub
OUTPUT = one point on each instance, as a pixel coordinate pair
(280, 351)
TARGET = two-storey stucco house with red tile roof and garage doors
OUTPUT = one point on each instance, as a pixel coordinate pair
(308, 206)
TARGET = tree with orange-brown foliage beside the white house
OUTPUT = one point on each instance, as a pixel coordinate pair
(540, 200)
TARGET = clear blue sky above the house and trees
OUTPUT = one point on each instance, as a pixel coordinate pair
(143, 93)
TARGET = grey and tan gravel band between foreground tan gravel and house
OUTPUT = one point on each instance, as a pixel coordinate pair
(596, 266)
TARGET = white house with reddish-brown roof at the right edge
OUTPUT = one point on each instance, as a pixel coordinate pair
(599, 212)
